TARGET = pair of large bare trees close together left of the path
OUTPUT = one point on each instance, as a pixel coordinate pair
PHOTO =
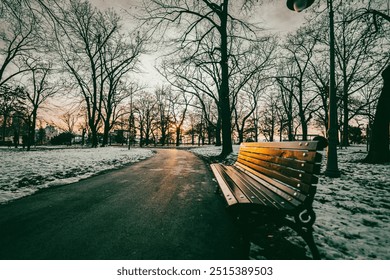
(98, 56)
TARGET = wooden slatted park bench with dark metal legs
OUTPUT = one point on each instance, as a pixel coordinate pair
(277, 180)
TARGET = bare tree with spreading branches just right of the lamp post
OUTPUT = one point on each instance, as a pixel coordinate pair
(359, 59)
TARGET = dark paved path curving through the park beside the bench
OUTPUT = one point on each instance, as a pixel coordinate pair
(161, 208)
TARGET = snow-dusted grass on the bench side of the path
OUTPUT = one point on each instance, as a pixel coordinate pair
(353, 211)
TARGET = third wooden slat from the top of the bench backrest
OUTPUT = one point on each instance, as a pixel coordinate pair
(313, 168)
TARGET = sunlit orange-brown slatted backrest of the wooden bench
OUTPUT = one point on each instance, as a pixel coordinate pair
(290, 167)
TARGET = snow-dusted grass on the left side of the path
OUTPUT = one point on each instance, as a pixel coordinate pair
(23, 173)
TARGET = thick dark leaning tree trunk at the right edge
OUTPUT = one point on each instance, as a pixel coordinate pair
(379, 144)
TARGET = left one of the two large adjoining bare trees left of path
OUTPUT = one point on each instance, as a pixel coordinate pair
(81, 37)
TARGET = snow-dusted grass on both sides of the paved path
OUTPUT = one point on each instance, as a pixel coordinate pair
(353, 211)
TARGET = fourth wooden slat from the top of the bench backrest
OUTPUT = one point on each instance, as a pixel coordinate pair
(280, 169)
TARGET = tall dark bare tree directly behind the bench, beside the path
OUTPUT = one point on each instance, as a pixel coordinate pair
(201, 21)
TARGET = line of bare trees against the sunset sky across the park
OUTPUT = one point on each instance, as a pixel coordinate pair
(224, 74)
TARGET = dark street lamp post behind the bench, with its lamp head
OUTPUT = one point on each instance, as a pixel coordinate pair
(332, 169)
